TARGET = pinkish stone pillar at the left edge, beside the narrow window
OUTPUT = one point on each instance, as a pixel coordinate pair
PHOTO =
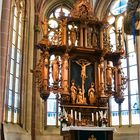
(4, 33)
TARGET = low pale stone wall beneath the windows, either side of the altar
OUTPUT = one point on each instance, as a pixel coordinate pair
(14, 132)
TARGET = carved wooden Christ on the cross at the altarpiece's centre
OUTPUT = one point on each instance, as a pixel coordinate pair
(83, 63)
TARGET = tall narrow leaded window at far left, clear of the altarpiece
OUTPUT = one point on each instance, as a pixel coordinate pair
(13, 86)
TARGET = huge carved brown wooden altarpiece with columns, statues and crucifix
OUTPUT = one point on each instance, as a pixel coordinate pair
(85, 71)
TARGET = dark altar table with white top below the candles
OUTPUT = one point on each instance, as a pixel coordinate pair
(88, 133)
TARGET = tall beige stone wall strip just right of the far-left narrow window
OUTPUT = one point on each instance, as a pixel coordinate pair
(28, 66)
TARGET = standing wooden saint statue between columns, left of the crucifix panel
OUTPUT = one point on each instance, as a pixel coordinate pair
(55, 70)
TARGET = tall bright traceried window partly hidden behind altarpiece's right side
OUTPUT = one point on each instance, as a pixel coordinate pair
(128, 113)
